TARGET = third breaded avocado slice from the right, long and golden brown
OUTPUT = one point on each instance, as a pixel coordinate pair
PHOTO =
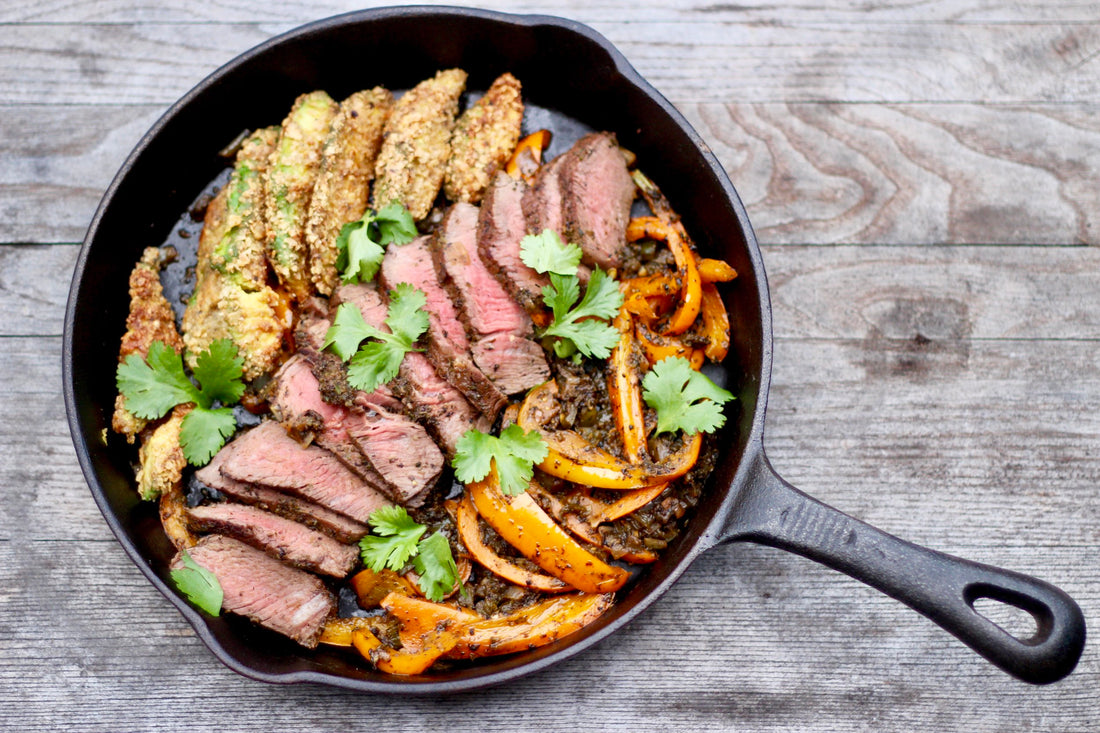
(344, 182)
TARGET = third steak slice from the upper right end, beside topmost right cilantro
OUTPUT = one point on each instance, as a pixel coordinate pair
(501, 227)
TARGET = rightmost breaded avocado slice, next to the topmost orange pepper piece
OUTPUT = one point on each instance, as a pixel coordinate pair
(485, 138)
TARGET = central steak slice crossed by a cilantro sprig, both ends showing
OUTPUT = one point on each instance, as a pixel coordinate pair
(428, 397)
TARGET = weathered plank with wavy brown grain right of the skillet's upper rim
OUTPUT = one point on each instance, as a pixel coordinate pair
(901, 174)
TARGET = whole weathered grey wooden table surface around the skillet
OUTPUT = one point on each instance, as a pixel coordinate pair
(926, 181)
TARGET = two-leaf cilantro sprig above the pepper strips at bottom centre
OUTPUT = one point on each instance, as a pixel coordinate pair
(398, 540)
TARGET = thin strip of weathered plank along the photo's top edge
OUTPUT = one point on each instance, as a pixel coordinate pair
(790, 12)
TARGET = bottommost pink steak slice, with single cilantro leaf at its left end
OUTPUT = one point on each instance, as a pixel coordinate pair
(289, 601)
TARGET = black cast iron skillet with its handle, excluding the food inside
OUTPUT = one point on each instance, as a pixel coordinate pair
(569, 69)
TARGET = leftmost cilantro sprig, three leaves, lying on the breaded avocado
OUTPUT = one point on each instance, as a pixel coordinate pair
(155, 386)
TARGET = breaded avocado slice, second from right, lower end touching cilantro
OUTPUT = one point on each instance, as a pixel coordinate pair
(417, 143)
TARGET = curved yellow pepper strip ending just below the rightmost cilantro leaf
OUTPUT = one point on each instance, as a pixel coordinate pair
(571, 457)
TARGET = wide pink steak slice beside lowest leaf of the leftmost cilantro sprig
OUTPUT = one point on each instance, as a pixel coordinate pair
(267, 456)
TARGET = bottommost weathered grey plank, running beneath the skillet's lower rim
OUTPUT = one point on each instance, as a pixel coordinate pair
(753, 650)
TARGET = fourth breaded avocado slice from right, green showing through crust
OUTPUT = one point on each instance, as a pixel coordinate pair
(291, 176)
